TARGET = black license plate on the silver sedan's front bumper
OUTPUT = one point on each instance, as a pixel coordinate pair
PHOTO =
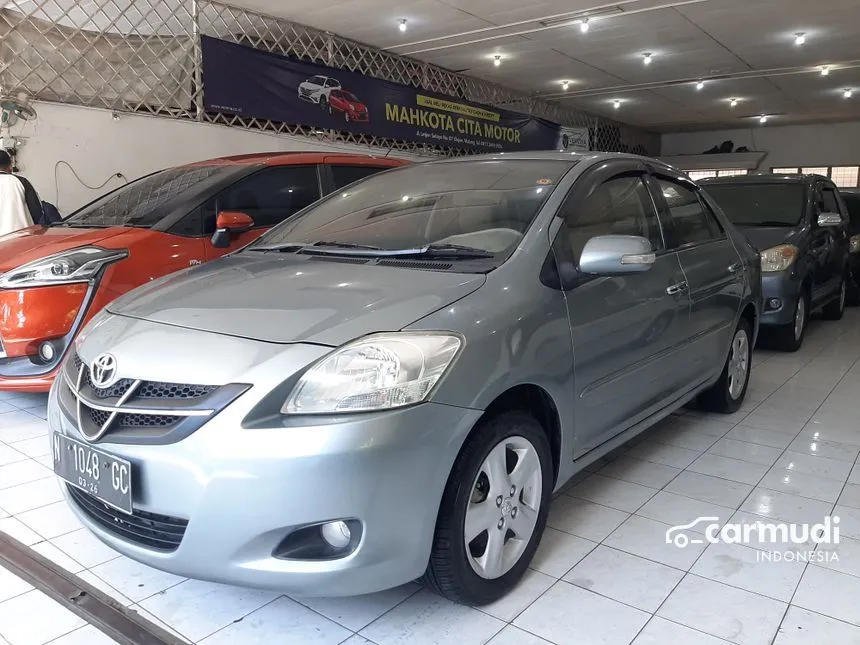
(105, 477)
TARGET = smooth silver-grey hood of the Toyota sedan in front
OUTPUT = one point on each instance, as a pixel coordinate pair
(287, 298)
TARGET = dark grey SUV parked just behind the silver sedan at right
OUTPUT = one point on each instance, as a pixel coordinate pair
(799, 224)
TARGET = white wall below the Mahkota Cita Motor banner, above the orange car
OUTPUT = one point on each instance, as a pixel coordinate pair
(98, 147)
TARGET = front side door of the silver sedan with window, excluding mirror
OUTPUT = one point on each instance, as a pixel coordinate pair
(626, 330)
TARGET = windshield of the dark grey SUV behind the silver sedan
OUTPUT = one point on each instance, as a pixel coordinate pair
(760, 204)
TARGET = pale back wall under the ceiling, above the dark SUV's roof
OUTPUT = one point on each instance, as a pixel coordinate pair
(801, 145)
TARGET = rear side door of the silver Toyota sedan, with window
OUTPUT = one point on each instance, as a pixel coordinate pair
(713, 271)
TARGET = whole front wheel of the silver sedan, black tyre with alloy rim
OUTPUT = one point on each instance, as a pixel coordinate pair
(454, 566)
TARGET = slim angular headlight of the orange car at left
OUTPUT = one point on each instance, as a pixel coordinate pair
(76, 265)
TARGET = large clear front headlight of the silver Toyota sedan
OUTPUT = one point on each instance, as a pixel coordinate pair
(377, 372)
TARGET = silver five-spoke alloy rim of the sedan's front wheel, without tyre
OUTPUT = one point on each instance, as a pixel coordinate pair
(503, 507)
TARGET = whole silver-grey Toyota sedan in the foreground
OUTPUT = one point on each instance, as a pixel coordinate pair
(391, 385)
